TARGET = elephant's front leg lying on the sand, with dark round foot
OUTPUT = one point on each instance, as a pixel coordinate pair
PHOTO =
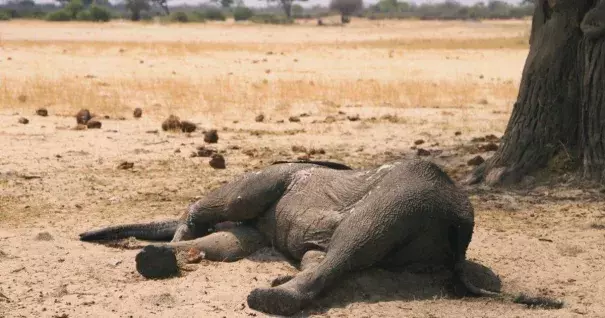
(160, 261)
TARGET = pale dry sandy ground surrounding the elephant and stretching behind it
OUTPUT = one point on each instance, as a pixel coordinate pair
(56, 182)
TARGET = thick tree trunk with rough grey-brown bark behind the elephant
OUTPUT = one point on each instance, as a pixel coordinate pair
(560, 108)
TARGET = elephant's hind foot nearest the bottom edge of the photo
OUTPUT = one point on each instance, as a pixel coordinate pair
(276, 301)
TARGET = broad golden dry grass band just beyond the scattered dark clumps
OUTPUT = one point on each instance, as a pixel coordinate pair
(182, 95)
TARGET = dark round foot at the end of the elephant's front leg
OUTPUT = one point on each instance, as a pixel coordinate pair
(157, 262)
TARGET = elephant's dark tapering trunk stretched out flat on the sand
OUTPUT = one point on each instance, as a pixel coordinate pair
(155, 231)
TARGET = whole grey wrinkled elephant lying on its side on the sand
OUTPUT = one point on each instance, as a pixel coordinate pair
(404, 214)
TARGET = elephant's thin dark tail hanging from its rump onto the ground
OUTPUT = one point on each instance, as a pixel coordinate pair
(460, 237)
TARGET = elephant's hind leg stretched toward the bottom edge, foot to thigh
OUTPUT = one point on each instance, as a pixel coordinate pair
(361, 240)
